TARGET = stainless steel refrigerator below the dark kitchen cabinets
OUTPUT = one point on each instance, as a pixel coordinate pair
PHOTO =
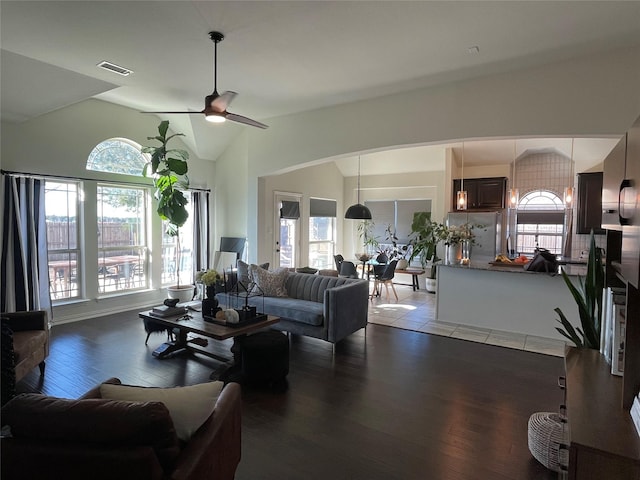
(488, 239)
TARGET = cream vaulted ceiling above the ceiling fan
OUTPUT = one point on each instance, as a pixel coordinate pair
(284, 57)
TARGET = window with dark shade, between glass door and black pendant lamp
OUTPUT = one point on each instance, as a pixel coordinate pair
(322, 232)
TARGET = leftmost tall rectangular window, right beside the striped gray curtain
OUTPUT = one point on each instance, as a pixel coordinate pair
(63, 245)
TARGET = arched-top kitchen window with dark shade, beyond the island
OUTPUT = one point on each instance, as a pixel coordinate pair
(540, 222)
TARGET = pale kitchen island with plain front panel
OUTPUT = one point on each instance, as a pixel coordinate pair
(505, 298)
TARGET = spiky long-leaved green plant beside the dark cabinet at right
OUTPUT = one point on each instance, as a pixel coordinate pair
(588, 297)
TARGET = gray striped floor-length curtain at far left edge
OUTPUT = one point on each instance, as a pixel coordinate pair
(24, 273)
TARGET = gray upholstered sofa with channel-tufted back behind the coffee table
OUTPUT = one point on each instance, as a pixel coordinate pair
(328, 308)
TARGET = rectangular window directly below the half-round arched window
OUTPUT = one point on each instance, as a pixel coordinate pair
(122, 239)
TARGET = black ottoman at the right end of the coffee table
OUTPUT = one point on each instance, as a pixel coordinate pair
(265, 359)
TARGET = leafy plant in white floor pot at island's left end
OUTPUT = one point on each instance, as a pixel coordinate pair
(425, 235)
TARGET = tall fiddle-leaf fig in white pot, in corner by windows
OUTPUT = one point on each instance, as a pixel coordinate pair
(168, 167)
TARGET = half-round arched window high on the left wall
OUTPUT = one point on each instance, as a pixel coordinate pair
(117, 155)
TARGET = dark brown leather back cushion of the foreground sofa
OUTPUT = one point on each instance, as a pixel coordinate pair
(94, 422)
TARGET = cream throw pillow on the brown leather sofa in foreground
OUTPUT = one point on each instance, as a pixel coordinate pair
(189, 406)
